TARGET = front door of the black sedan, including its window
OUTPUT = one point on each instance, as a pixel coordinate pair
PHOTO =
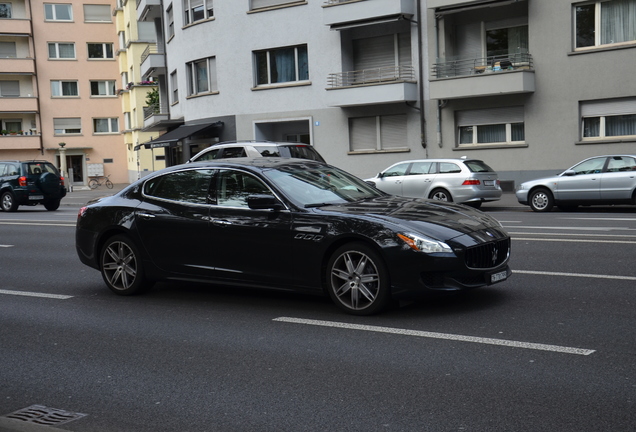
(248, 245)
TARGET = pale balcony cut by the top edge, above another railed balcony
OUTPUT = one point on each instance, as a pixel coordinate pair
(340, 14)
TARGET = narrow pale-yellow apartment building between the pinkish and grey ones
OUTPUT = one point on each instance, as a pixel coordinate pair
(139, 96)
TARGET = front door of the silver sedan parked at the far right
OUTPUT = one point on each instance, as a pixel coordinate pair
(583, 183)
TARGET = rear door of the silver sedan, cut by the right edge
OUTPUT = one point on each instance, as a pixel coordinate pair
(619, 179)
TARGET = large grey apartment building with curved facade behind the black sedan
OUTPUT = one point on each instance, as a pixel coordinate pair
(529, 86)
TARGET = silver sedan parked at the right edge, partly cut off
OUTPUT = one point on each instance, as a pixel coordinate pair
(606, 180)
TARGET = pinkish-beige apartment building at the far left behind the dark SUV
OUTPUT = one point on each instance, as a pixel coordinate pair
(58, 89)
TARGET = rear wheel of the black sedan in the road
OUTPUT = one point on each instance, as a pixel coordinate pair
(121, 266)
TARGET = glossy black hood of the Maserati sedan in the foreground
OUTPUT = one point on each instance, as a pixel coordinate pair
(439, 220)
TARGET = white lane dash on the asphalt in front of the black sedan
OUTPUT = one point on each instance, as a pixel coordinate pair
(447, 336)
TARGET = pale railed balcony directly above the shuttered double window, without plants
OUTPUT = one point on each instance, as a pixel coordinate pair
(372, 86)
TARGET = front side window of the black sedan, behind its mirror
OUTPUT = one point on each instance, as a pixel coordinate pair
(233, 188)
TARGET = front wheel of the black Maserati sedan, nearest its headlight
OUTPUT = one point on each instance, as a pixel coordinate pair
(357, 280)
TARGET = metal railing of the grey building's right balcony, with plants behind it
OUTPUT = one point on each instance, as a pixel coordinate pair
(471, 66)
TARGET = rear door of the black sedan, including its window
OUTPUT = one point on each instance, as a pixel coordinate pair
(173, 221)
